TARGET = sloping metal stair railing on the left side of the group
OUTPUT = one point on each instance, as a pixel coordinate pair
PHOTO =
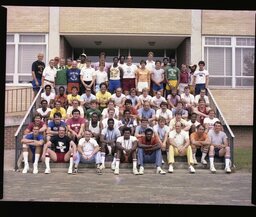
(24, 123)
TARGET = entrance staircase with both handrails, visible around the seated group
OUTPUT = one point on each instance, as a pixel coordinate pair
(181, 162)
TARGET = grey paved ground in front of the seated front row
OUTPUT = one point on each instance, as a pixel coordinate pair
(150, 188)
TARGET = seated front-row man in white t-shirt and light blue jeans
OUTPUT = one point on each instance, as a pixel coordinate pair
(88, 150)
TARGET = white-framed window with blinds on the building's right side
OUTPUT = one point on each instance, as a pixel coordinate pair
(225, 69)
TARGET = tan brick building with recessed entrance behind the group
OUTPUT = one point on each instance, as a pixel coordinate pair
(225, 40)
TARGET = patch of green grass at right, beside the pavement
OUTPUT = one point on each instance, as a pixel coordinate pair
(243, 158)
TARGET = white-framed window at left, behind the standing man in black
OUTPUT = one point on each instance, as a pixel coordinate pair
(21, 52)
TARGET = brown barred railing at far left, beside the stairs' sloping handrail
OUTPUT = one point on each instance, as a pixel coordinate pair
(18, 100)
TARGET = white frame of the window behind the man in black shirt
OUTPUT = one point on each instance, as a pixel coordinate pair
(16, 44)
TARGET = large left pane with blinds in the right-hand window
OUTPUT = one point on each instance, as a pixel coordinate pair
(216, 61)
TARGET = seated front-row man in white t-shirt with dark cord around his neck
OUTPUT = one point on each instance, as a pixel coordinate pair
(126, 146)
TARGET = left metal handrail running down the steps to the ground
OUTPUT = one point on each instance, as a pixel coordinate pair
(19, 132)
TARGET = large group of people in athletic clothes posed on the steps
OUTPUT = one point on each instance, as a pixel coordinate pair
(136, 114)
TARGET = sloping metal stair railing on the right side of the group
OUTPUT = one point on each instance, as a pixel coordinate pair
(227, 129)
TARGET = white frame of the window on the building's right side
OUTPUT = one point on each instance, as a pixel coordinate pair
(233, 46)
